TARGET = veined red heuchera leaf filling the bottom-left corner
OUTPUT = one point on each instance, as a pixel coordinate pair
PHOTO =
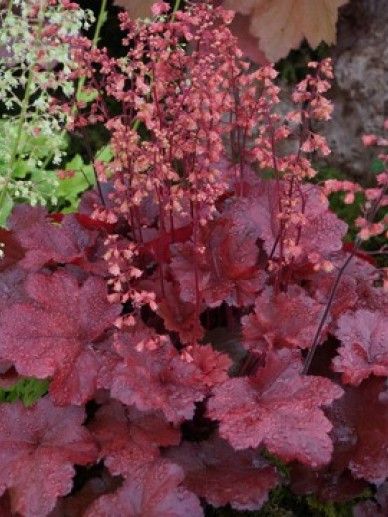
(38, 447)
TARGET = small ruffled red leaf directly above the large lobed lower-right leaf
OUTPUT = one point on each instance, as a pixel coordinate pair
(285, 319)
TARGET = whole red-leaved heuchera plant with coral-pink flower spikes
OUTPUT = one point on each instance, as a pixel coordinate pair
(198, 316)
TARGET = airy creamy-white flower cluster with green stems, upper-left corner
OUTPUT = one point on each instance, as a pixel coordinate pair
(35, 61)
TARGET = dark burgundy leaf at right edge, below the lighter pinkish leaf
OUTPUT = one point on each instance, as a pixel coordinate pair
(360, 430)
